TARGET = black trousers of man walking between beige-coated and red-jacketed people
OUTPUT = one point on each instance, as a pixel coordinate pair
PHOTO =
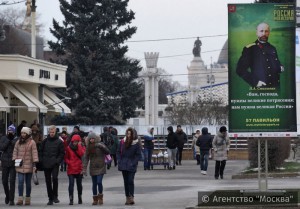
(51, 177)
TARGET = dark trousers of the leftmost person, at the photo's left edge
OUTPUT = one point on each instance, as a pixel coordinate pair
(9, 176)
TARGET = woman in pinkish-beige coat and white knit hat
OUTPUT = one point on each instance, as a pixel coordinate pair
(25, 149)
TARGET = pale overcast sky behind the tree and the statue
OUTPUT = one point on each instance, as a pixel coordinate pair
(179, 20)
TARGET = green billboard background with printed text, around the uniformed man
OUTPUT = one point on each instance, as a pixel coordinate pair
(254, 109)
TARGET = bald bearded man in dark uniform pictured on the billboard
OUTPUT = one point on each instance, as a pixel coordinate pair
(259, 64)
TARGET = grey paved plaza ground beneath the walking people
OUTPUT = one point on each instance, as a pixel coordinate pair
(157, 188)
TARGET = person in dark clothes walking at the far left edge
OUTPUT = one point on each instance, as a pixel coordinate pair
(7, 144)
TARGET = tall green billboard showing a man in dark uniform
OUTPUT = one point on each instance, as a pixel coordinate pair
(261, 67)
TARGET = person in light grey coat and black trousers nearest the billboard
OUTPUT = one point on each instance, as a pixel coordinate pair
(221, 144)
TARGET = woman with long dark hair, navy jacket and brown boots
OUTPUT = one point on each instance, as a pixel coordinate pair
(128, 156)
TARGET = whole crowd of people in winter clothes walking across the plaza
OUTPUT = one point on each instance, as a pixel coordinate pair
(24, 151)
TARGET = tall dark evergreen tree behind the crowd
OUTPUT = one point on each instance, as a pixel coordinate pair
(101, 81)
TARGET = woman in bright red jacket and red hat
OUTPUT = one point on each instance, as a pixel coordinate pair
(73, 159)
